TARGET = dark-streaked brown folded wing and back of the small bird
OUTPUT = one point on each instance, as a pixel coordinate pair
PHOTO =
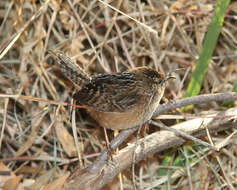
(111, 93)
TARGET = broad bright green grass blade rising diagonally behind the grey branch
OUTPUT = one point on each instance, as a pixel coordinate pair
(207, 50)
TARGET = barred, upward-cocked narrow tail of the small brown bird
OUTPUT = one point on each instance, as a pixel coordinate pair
(73, 72)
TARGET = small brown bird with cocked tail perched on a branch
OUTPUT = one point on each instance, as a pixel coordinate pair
(116, 101)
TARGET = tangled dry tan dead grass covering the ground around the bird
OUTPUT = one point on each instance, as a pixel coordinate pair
(37, 144)
